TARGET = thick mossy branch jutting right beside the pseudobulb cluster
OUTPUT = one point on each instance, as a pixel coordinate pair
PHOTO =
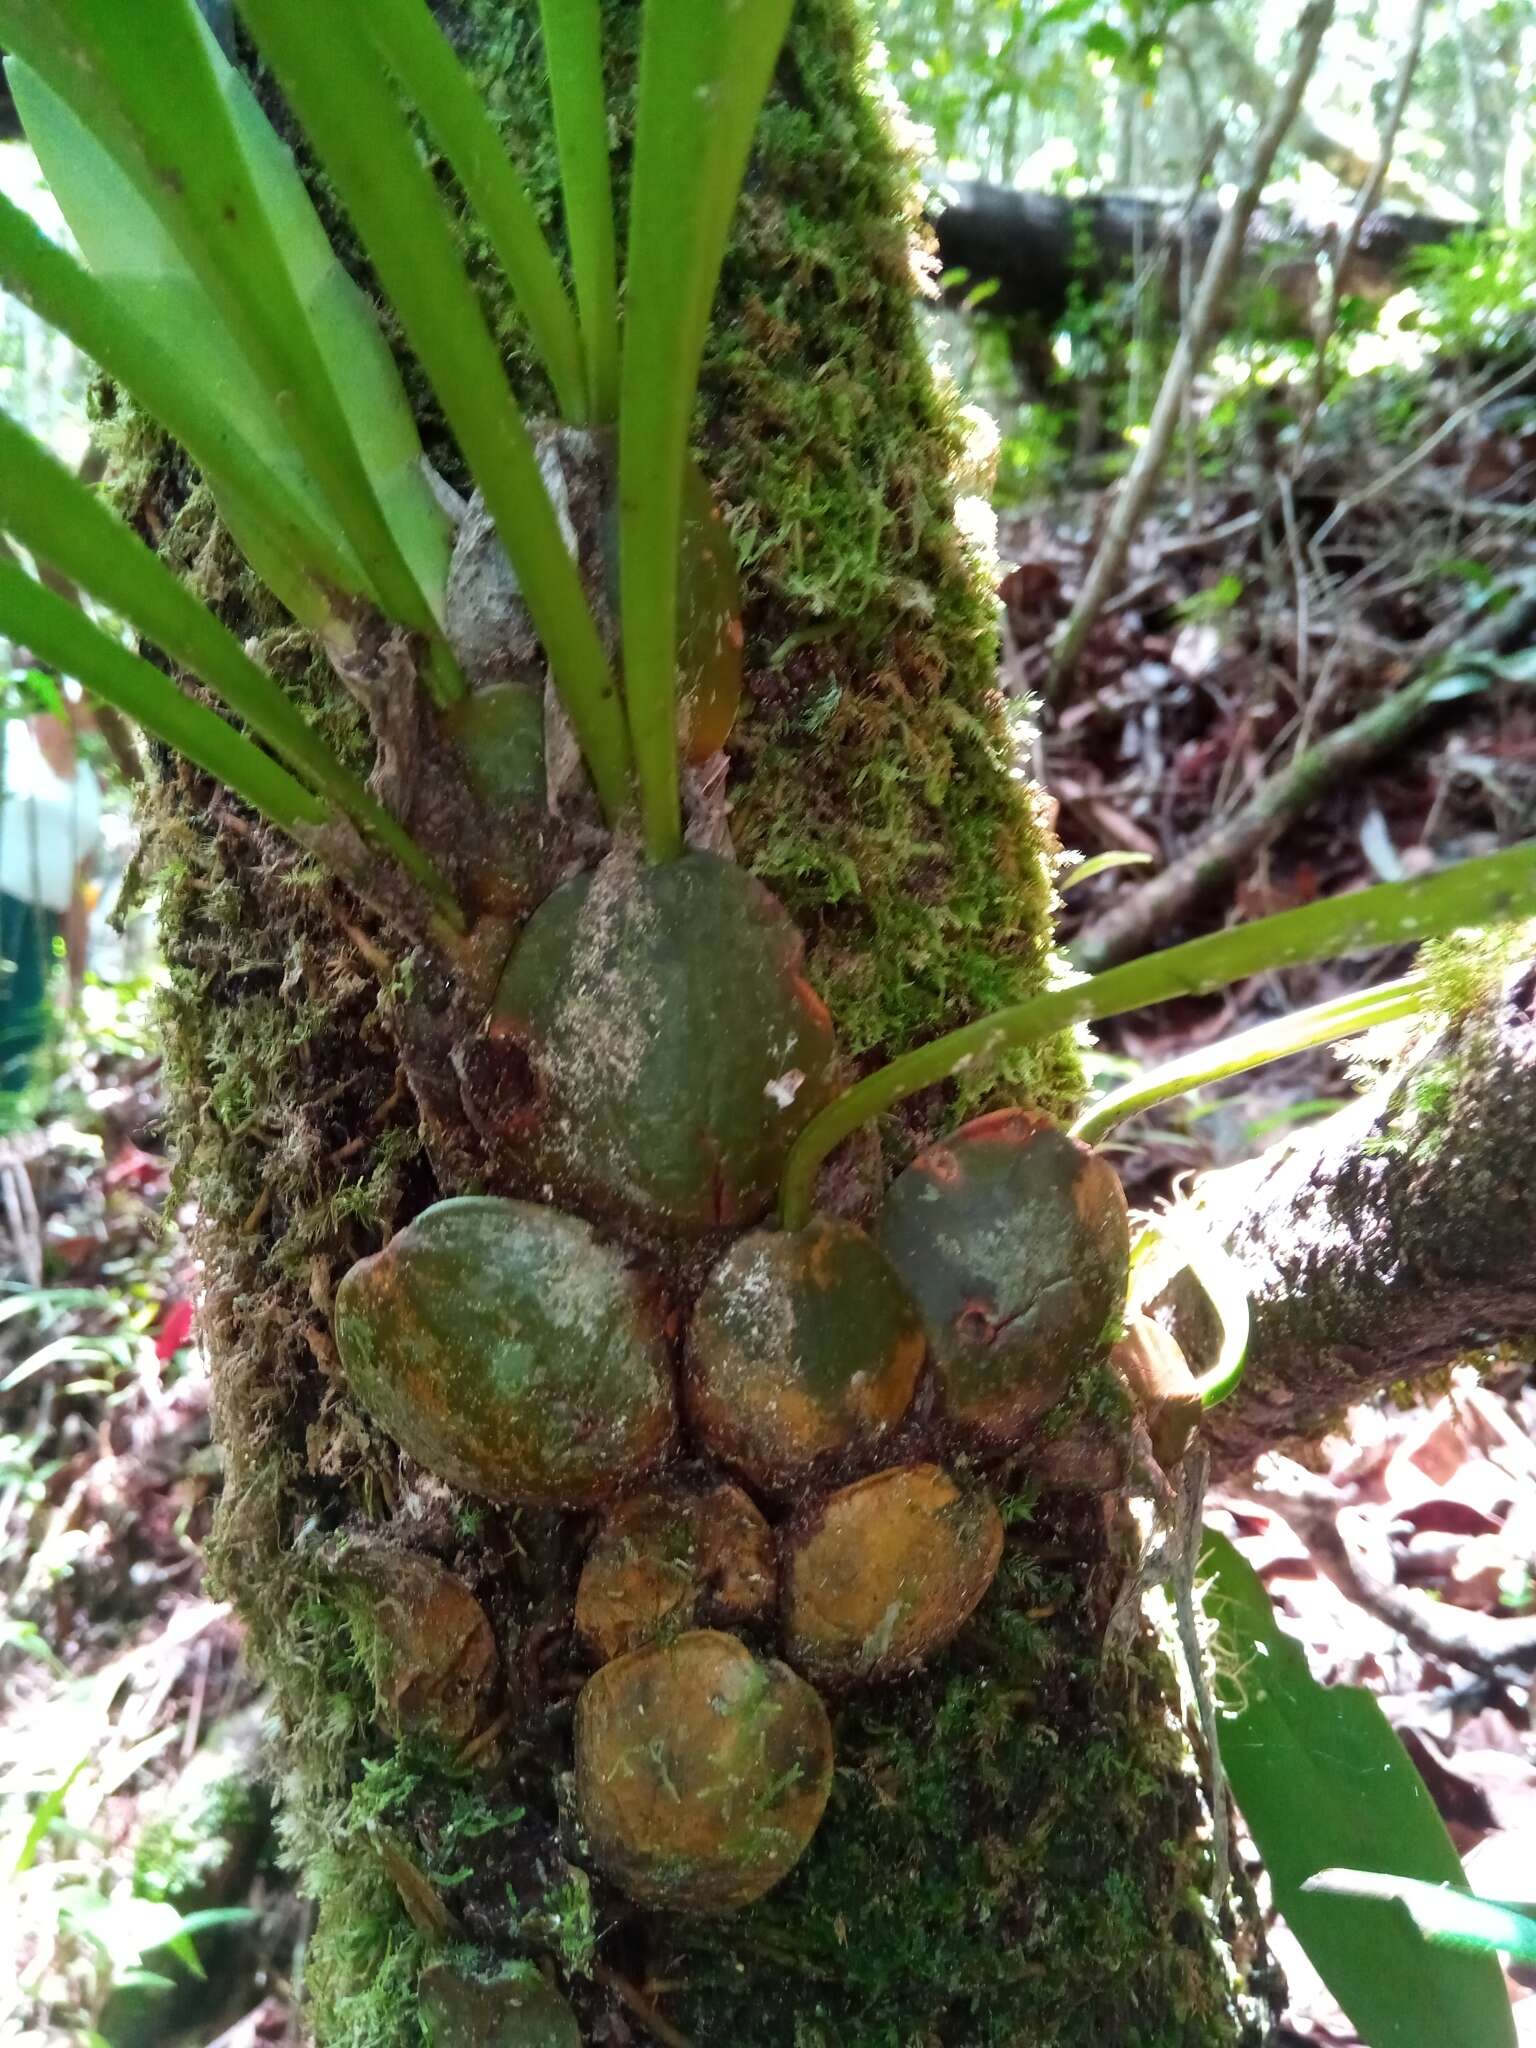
(1392, 1240)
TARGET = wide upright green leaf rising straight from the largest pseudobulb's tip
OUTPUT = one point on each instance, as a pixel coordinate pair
(703, 75)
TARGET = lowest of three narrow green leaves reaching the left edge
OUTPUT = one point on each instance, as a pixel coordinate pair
(67, 640)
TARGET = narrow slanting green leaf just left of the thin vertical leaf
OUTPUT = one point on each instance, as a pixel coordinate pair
(429, 75)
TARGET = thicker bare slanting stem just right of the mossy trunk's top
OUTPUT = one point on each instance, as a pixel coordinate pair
(1215, 282)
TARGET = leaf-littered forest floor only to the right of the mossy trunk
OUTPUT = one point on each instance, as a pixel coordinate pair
(1258, 617)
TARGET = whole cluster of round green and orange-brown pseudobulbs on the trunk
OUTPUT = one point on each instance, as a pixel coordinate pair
(790, 1488)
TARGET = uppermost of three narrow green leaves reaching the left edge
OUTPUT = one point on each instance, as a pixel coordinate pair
(69, 298)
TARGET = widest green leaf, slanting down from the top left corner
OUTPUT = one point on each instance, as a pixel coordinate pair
(153, 89)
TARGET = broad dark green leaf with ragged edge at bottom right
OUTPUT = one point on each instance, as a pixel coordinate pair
(1324, 1781)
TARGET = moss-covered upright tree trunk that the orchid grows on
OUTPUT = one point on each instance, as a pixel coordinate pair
(1015, 1848)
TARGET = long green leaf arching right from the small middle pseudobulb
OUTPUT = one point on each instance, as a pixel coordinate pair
(1492, 890)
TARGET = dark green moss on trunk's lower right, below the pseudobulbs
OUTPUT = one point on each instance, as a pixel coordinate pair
(1007, 1863)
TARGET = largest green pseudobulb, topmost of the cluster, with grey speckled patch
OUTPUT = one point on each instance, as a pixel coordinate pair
(673, 1043)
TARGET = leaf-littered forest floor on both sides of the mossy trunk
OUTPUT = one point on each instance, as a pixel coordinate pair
(144, 1900)
